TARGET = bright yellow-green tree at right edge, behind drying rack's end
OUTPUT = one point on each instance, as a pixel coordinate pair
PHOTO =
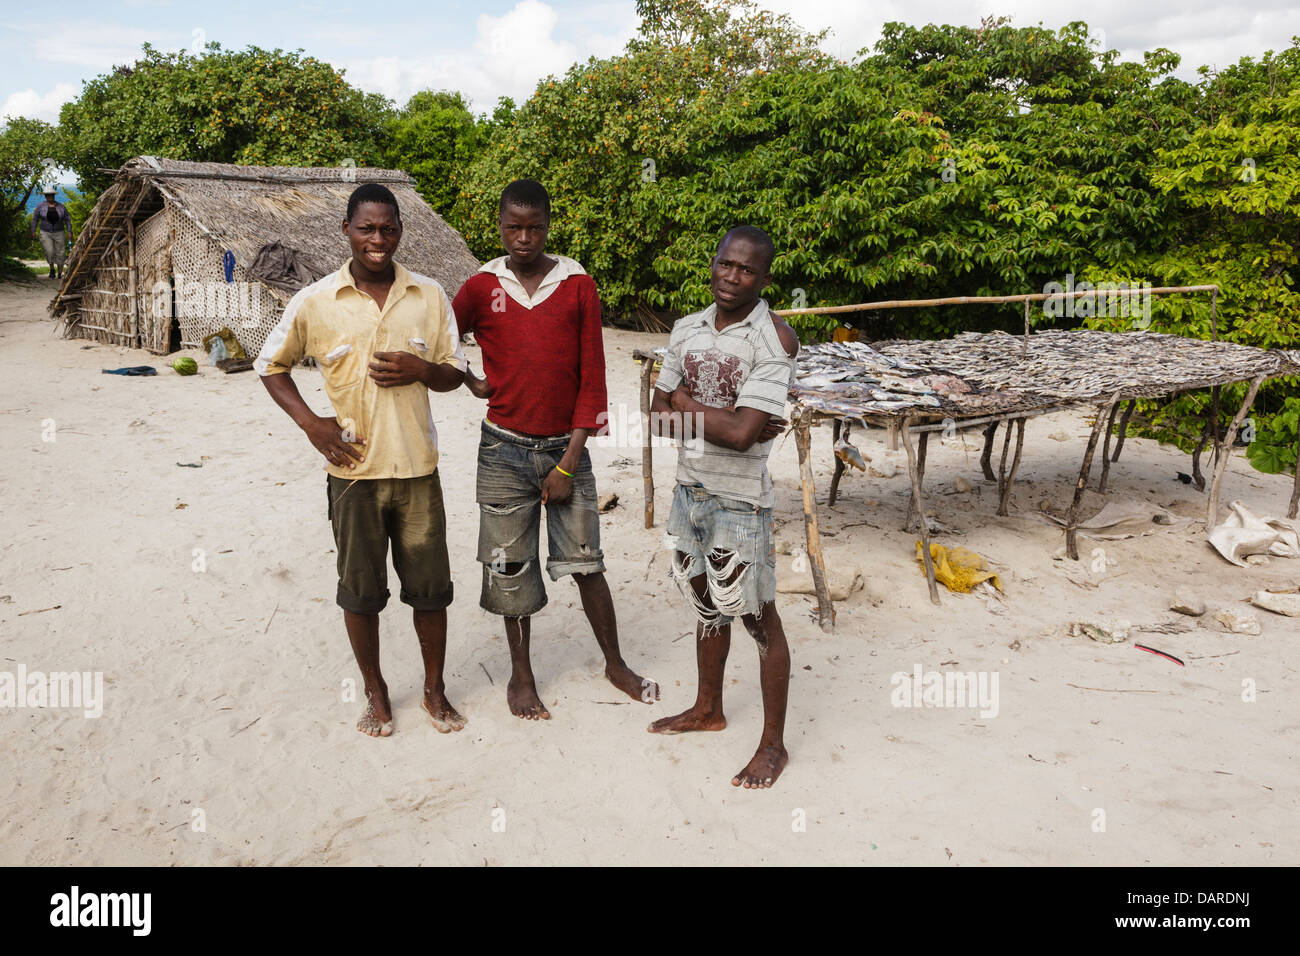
(1236, 184)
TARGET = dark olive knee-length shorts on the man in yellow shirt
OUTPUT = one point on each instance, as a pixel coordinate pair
(366, 516)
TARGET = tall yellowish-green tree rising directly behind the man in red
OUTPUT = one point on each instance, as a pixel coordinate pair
(605, 131)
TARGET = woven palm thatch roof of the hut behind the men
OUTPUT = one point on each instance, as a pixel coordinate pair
(245, 209)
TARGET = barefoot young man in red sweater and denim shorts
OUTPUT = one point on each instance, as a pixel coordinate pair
(538, 319)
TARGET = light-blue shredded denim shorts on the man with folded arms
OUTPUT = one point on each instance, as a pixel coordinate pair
(736, 535)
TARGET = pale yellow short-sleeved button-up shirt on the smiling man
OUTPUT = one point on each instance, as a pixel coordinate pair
(341, 327)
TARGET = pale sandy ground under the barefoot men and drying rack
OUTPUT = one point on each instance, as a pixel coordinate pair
(224, 686)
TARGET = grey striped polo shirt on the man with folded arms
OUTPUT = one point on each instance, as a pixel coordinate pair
(744, 365)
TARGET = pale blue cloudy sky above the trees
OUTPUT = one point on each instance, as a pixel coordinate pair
(495, 49)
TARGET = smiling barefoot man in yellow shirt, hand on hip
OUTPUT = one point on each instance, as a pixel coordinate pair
(384, 339)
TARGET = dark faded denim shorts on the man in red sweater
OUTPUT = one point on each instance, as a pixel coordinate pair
(512, 470)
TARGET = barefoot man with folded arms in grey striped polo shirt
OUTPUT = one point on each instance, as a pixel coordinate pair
(730, 369)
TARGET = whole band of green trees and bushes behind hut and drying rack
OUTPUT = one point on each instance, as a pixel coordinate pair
(946, 161)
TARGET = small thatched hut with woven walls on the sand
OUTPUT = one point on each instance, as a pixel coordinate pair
(175, 252)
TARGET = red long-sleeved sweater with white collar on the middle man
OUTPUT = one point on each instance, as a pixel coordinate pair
(545, 365)
